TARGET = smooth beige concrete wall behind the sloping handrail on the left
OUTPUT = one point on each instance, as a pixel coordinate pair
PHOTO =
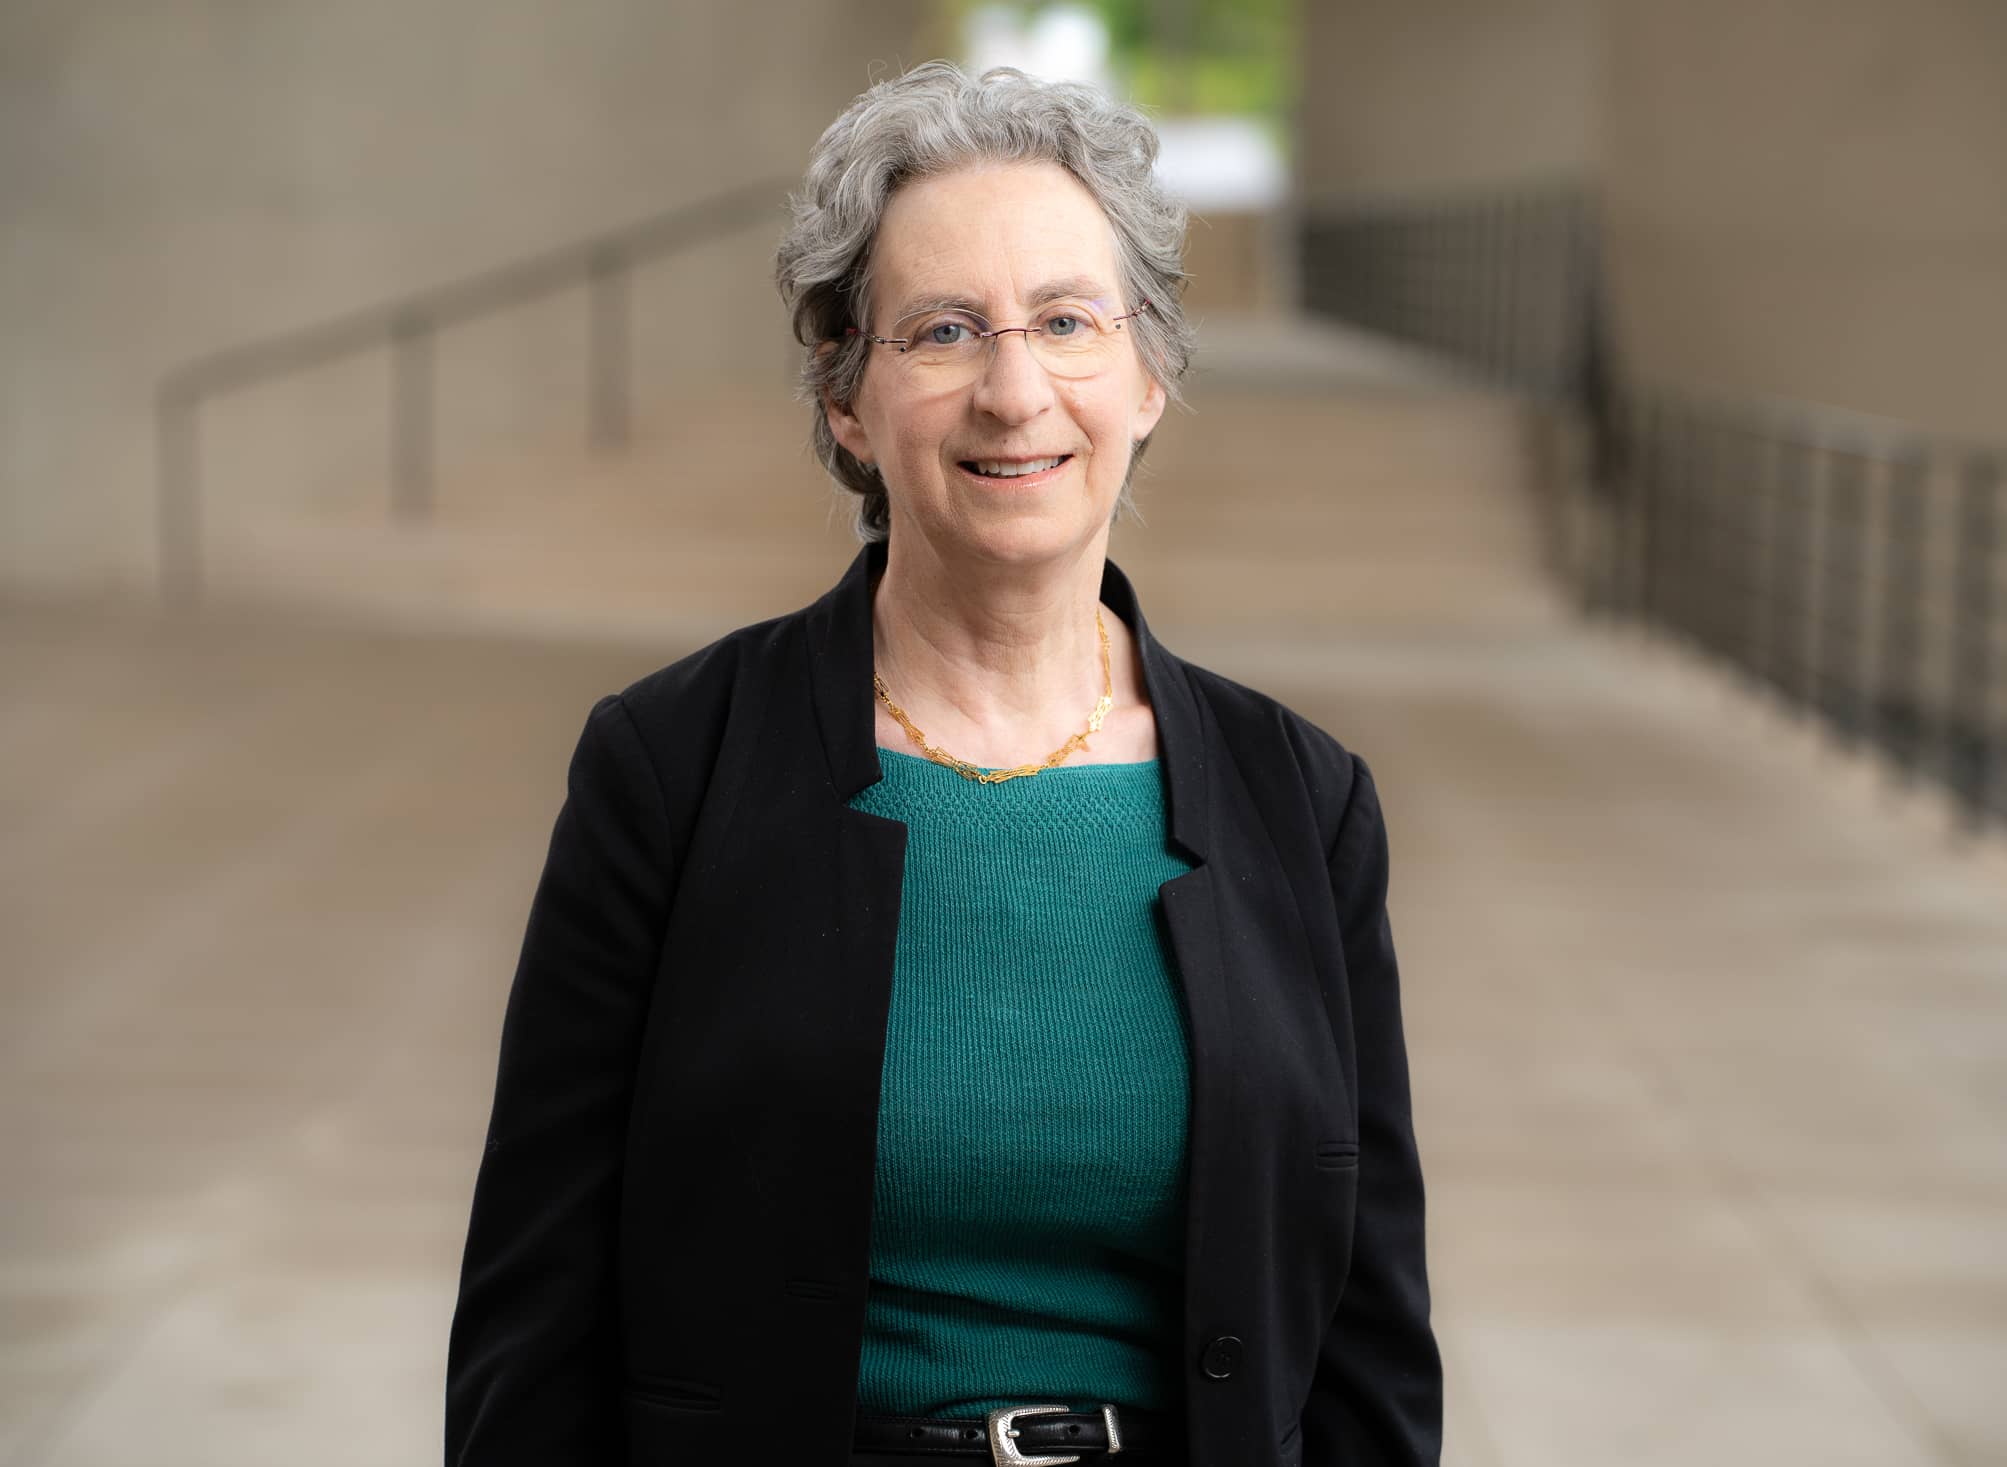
(182, 176)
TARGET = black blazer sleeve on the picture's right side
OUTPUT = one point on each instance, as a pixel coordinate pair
(1378, 1392)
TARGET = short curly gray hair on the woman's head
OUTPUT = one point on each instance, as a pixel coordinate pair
(930, 121)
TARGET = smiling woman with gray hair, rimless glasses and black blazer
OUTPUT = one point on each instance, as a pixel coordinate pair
(948, 1022)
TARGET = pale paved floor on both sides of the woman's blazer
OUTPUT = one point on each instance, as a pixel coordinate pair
(1709, 1033)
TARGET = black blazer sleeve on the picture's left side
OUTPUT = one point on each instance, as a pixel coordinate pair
(535, 1354)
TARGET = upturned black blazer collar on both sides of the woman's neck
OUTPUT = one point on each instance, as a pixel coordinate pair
(840, 671)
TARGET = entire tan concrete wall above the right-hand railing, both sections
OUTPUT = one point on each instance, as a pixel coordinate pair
(1805, 200)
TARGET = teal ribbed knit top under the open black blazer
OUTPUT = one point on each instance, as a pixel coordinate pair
(1029, 1205)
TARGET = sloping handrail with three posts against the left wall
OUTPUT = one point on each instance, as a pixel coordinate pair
(406, 332)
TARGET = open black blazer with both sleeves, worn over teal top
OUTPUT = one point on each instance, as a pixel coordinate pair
(671, 1225)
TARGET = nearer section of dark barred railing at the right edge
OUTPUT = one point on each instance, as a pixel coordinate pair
(1851, 567)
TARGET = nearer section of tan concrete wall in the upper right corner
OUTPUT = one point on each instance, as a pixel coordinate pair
(1809, 200)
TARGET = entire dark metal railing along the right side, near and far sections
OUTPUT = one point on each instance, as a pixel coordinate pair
(1853, 567)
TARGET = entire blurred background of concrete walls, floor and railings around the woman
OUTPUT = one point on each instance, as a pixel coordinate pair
(1599, 424)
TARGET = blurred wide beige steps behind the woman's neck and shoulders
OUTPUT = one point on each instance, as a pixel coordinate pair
(1316, 483)
